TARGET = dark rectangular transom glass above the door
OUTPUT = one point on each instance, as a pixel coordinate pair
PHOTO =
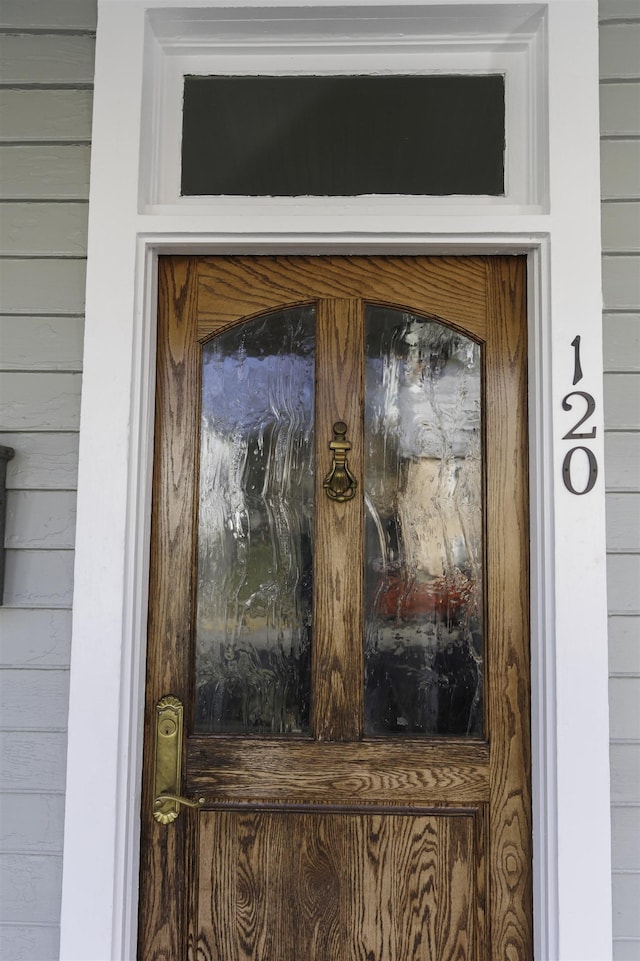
(334, 136)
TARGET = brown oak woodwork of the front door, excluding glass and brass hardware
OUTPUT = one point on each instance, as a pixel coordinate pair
(335, 847)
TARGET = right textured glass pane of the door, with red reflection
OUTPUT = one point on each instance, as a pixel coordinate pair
(423, 565)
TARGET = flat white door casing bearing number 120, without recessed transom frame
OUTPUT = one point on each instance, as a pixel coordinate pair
(569, 671)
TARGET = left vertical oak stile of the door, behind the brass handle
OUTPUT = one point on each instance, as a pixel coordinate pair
(163, 879)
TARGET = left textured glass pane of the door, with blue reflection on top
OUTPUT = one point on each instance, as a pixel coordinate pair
(255, 527)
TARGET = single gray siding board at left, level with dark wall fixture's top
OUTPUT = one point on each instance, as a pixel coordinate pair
(42, 461)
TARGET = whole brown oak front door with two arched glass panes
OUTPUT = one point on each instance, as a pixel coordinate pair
(339, 599)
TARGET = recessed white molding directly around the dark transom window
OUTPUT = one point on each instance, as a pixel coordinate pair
(386, 40)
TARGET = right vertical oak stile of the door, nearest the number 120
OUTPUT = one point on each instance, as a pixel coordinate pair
(508, 700)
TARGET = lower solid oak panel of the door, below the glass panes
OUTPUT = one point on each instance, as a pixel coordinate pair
(337, 885)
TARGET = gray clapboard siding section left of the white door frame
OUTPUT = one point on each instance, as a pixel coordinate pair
(46, 76)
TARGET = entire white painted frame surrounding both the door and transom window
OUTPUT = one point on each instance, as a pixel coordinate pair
(550, 211)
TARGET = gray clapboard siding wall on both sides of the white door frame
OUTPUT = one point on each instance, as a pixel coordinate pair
(46, 72)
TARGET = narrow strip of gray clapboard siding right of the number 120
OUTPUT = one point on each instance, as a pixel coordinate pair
(620, 131)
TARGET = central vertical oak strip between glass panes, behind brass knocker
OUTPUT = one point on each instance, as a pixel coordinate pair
(338, 654)
